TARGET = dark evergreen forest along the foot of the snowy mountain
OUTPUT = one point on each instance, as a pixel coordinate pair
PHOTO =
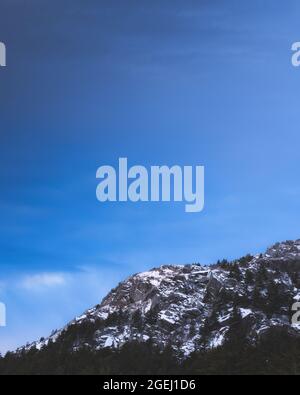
(276, 354)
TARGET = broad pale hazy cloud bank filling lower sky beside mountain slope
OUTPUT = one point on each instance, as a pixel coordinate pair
(38, 302)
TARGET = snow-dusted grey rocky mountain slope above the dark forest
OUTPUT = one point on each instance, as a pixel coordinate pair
(192, 307)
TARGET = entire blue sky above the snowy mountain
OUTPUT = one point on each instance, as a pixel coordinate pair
(160, 82)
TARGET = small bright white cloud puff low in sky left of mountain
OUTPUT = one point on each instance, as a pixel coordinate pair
(43, 280)
